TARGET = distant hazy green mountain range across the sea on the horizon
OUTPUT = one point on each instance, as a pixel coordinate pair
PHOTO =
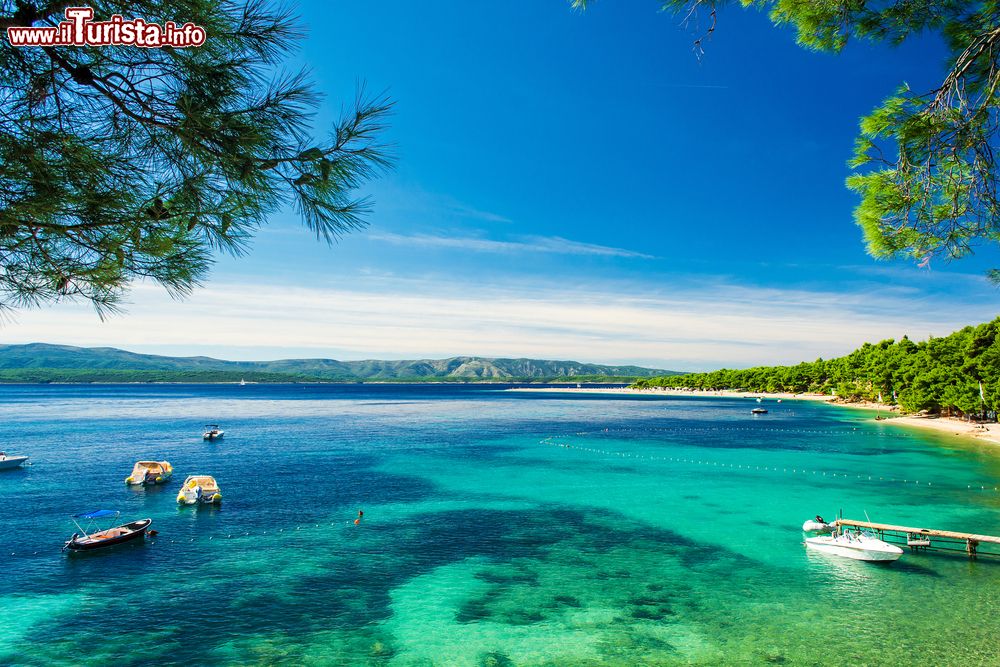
(40, 362)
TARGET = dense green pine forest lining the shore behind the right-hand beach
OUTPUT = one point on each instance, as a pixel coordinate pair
(936, 375)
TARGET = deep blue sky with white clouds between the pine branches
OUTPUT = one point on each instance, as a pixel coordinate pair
(575, 185)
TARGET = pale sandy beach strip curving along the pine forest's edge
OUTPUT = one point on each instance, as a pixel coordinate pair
(989, 433)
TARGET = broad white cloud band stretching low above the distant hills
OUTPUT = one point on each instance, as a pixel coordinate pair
(695, 326)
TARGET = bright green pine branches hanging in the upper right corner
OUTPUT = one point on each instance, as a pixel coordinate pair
(924, 161)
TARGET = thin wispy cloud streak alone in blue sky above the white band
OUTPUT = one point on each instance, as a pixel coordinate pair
(545, 244)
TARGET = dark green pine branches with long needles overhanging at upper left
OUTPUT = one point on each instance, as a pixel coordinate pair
(120, 163)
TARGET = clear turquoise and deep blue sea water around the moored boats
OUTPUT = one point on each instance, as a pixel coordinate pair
(500, 529)
